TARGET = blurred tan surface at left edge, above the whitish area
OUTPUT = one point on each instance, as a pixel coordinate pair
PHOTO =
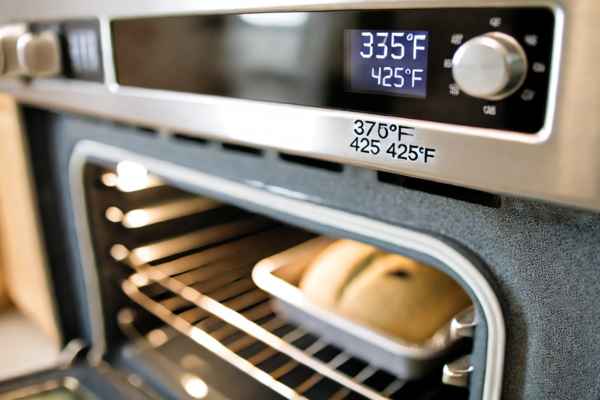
(23, 263)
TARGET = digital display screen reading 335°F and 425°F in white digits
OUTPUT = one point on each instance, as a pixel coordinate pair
(387, 62)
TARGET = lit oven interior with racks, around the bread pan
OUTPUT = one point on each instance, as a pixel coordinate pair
(161, 250)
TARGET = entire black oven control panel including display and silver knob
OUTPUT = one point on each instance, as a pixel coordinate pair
(479, 67)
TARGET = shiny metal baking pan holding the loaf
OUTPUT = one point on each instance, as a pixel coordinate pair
(279, 275)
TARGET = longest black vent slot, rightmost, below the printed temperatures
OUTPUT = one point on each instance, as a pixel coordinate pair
(442, 189)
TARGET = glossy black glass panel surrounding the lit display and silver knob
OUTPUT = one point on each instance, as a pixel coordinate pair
(302, 58)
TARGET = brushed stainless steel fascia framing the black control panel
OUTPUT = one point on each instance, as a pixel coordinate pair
(557, 164)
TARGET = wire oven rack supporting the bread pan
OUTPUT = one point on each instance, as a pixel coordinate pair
(246, 318)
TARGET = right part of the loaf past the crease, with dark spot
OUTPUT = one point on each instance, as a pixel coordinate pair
(402, 298)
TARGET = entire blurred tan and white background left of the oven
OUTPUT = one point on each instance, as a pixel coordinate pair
(28, 333)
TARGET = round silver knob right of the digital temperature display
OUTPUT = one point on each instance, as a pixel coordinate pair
(491, 66)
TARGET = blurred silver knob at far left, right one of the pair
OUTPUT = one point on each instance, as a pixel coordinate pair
(39, 54)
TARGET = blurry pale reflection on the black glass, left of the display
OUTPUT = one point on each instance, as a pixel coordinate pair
(268, 64)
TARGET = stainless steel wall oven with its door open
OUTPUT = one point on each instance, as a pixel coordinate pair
(180, 151)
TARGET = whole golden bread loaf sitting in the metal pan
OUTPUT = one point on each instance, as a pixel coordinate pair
(390, 293)
